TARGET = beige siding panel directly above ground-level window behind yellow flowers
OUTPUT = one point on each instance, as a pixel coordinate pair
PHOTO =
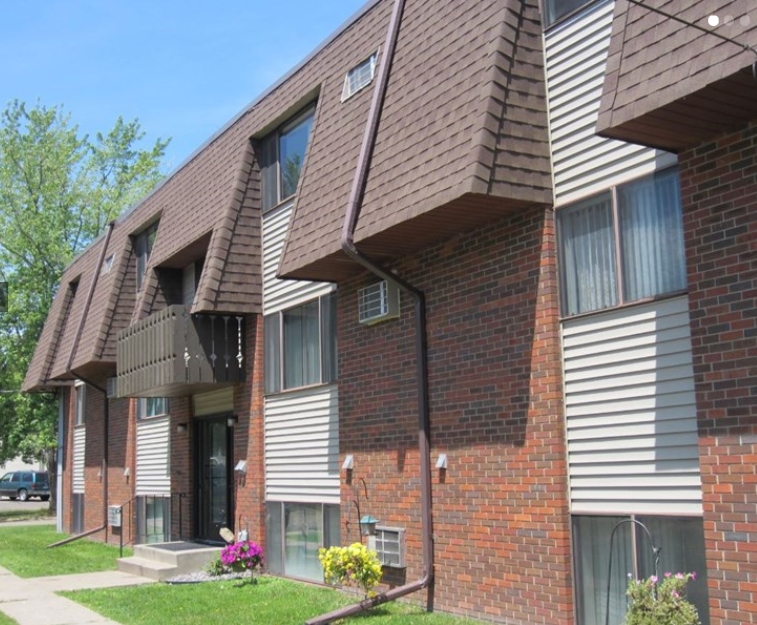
(302, 446)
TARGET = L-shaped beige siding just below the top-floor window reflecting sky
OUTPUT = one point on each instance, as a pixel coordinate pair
(282, 294)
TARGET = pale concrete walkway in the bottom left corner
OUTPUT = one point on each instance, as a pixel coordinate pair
(34, 602)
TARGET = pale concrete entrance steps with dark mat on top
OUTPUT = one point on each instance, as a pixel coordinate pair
(162, 561)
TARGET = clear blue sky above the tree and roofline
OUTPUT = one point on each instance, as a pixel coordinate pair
(183, 67)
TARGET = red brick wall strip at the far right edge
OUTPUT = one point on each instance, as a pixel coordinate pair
(719, 197)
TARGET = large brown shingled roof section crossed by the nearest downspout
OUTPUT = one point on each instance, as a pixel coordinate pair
(463, 134)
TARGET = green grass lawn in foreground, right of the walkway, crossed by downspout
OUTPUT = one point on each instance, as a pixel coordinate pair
(271, 601)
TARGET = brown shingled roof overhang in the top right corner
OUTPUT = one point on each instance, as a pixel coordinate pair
(669, 85)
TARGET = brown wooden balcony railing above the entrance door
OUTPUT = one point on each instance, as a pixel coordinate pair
(172, 353)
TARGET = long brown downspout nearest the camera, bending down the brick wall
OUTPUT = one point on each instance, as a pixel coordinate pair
(349, 247)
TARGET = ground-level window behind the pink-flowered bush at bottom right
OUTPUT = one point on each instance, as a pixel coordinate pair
(682, 542)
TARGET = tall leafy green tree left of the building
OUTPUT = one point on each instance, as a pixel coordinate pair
(58, 190)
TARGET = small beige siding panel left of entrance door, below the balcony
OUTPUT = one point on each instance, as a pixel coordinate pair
(153, 461)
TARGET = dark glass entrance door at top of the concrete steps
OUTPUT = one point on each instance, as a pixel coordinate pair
(213, 484)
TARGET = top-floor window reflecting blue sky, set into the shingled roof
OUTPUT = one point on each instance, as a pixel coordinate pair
(282, 156)
